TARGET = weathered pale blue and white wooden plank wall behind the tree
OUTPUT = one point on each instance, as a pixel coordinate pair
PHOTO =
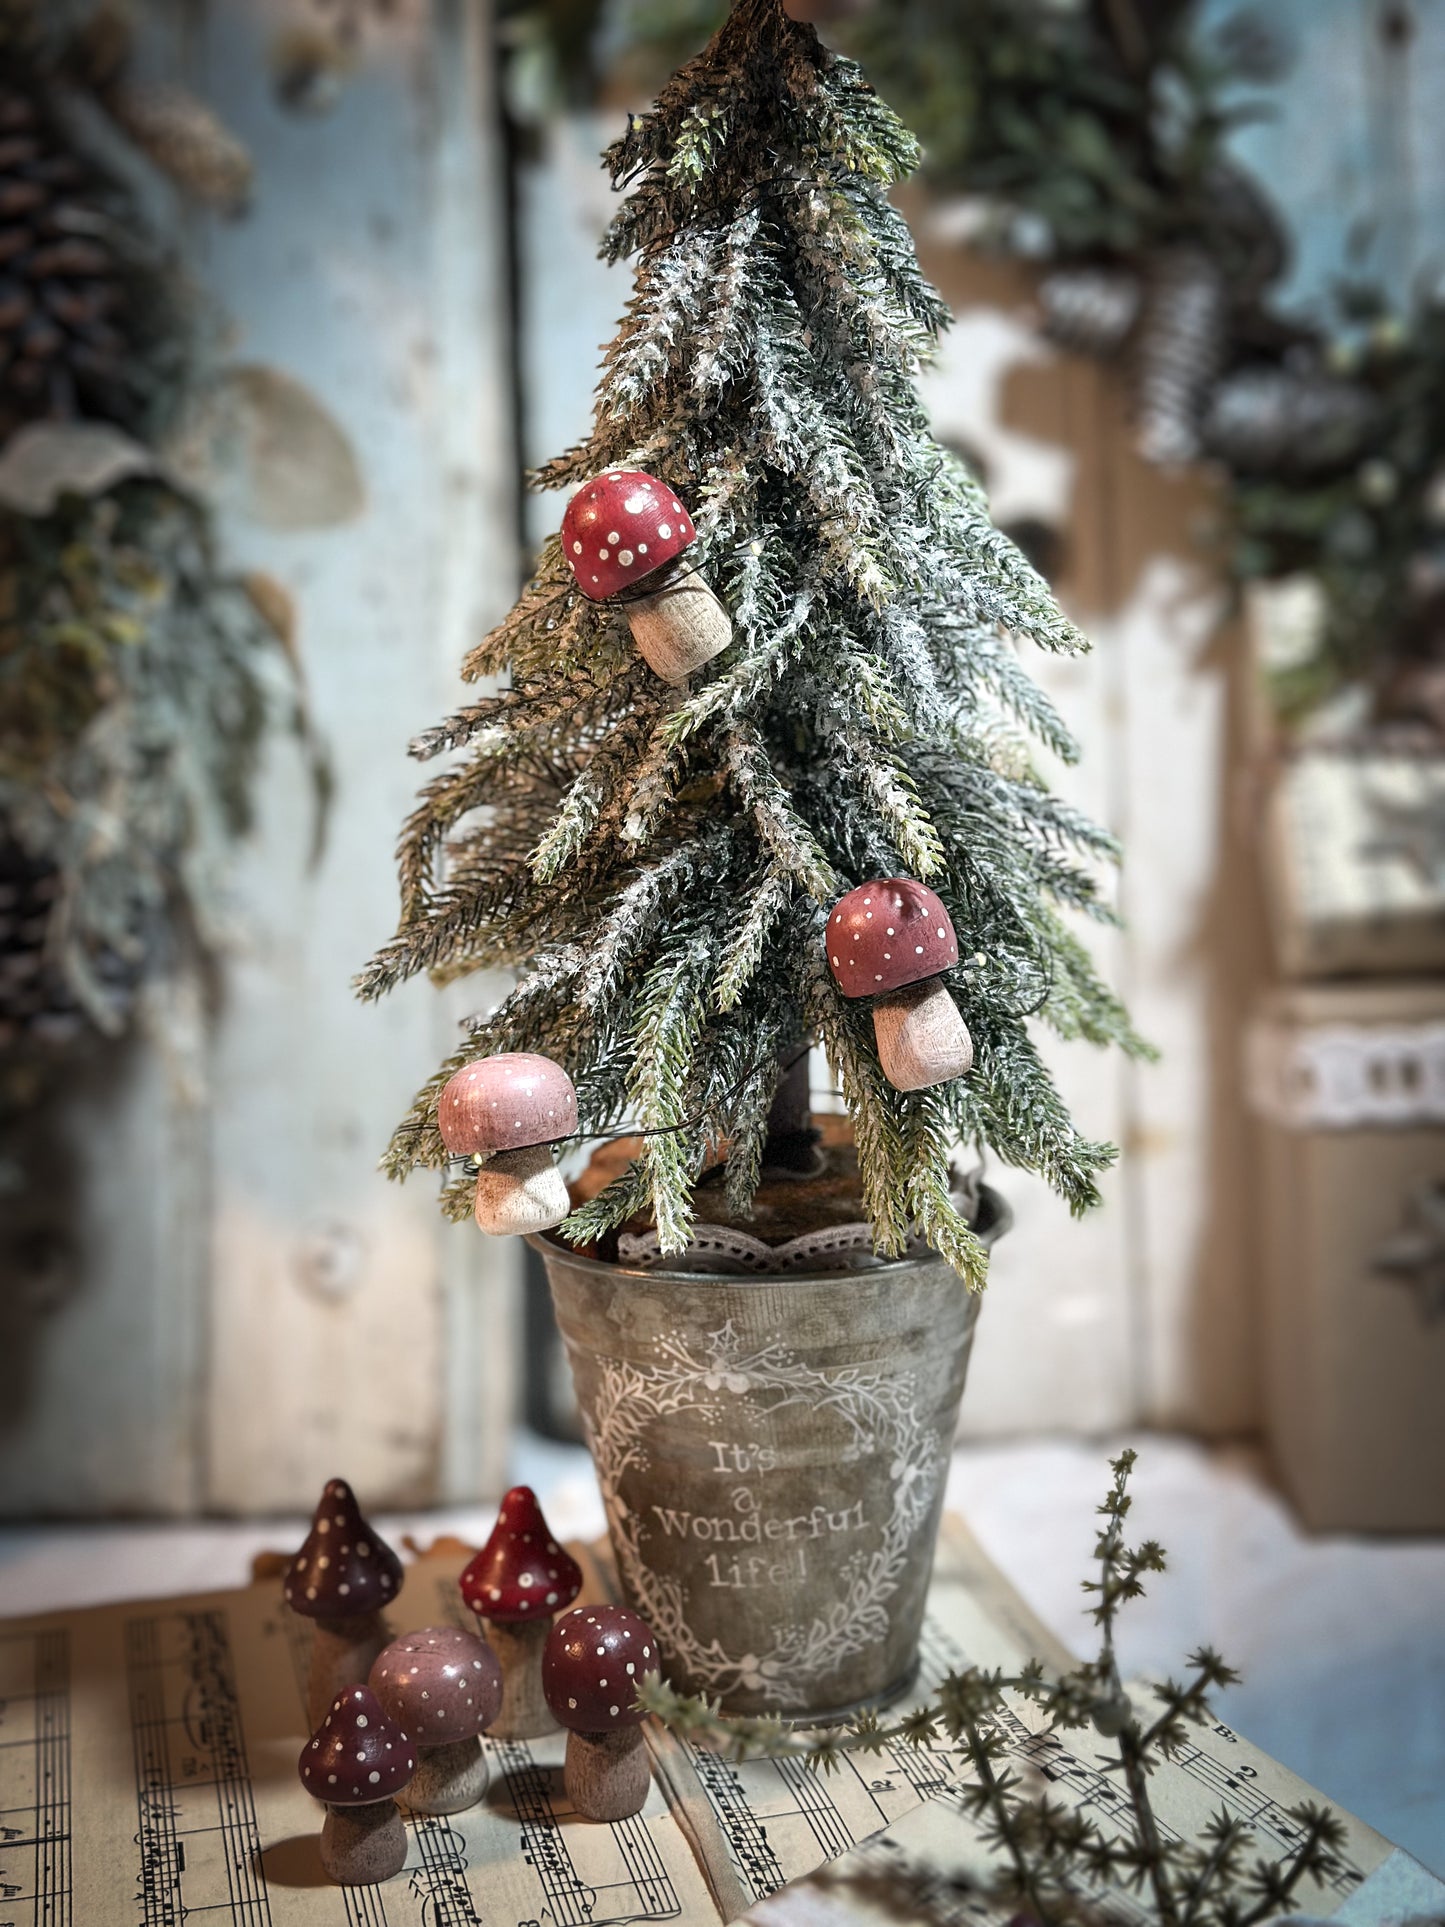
(213, 1300)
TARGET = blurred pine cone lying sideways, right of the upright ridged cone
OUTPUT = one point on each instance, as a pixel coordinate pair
(1292, 423)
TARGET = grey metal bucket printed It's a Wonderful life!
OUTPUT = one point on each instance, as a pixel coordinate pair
(772, 1456)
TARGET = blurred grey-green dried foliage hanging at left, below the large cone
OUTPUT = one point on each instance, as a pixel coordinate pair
(136, 687)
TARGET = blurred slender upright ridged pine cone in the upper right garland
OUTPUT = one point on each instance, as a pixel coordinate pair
(1180, 350)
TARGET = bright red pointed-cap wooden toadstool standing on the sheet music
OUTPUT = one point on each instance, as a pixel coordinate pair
(515, 1585)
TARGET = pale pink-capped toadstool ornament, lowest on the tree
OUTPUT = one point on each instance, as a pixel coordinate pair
(512, 1109)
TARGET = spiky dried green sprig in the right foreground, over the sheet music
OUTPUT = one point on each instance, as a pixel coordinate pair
(1049, 1861)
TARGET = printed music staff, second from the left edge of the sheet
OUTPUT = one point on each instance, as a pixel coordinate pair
(197, 1837)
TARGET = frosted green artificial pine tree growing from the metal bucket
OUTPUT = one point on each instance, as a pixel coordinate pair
(658, 862)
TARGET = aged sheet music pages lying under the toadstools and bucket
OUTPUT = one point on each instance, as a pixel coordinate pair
(149, 1776)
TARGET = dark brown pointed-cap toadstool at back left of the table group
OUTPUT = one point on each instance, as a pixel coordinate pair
(342, 1579)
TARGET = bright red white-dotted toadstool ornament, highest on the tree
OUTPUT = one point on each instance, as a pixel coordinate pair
(623, 529)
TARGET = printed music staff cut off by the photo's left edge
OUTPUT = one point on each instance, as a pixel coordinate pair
(36, 1780)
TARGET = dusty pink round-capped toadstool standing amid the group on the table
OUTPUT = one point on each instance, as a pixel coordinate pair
(444, 1687)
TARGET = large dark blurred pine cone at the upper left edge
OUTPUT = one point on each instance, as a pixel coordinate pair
(63, 298)
